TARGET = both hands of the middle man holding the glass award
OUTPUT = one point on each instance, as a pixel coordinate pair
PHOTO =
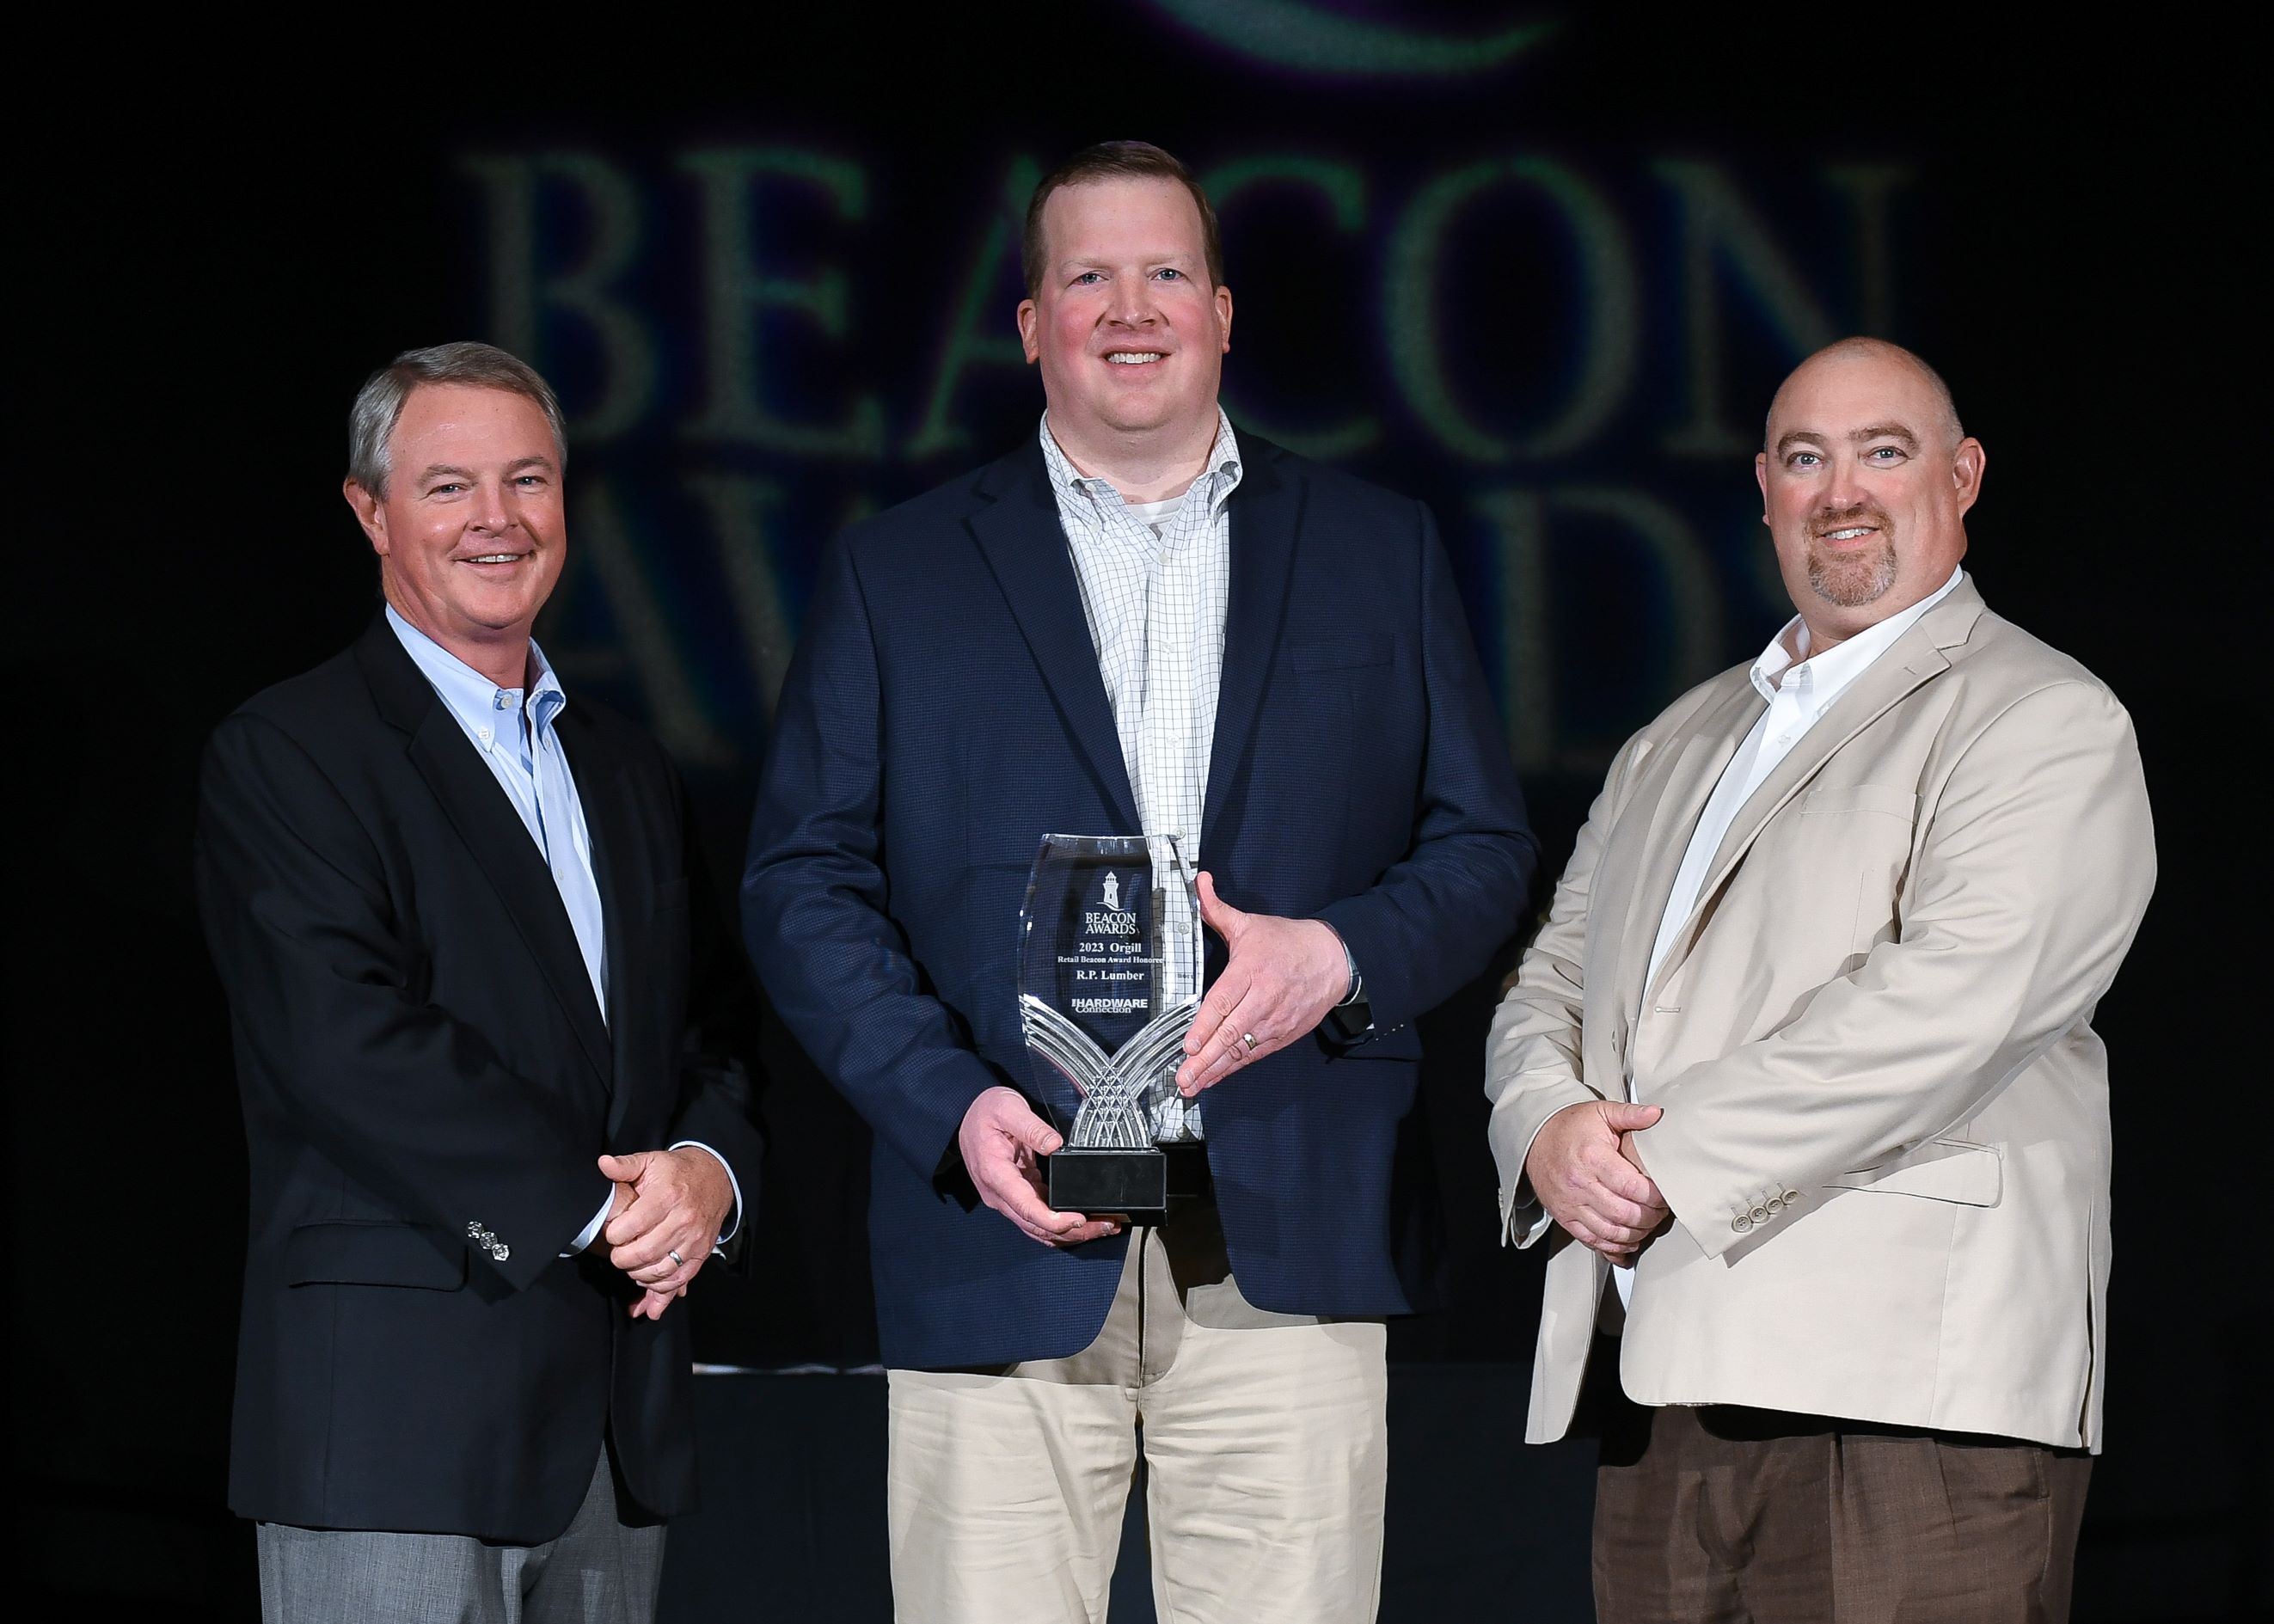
(1277, 986)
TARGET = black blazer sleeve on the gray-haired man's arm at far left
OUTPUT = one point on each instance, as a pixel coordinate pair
(331, 1029)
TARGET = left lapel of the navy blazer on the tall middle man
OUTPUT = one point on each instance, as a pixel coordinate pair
(1027, 549)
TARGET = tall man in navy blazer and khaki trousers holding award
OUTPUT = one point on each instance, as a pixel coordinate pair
(1136, 622)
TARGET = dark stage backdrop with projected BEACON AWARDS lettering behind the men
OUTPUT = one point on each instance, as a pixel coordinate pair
(1536, 265)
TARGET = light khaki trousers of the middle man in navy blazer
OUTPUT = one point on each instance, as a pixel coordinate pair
(1265, 1452)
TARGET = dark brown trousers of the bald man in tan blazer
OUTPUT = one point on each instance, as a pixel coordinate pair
(1729, 1516)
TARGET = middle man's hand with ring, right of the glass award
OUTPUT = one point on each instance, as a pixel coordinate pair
(1279, 984)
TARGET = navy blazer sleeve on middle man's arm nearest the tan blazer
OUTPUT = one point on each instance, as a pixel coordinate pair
(1466, 884)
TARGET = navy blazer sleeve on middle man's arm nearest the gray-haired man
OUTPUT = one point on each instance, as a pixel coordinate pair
(833, 961)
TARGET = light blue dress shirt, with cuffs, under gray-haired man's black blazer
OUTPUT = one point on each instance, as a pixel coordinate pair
(513, 734)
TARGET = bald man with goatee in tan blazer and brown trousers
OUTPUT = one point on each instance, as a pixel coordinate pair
(1800, 1077)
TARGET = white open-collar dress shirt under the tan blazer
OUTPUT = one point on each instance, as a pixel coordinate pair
(1798, 688)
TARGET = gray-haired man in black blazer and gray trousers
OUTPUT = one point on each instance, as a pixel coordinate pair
(476, 979)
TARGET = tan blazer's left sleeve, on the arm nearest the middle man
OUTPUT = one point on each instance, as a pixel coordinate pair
(1534, 1059)
